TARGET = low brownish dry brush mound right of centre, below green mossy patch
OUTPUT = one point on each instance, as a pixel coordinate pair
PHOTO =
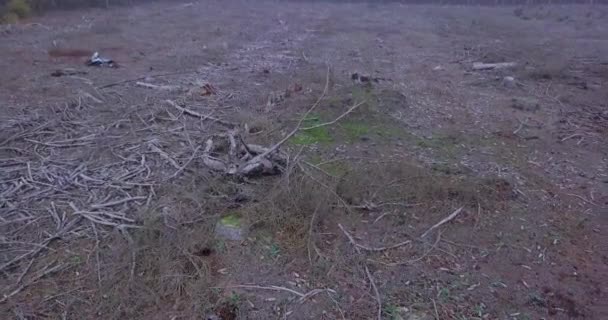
(398, 183)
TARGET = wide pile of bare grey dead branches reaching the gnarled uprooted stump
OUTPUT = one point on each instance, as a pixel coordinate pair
(82, 171)
